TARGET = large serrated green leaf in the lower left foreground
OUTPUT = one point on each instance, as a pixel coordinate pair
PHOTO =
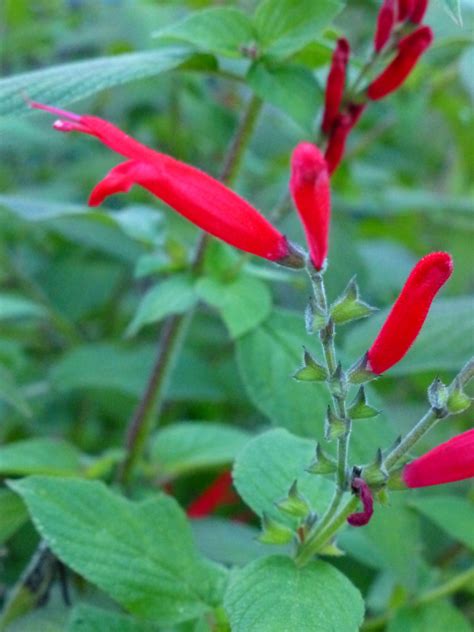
(141, 554)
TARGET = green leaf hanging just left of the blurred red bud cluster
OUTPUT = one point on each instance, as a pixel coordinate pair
(292, 89)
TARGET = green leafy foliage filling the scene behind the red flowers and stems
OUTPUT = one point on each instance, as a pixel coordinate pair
(83, 294)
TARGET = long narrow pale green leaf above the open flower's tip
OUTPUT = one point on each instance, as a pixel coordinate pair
(59, 85)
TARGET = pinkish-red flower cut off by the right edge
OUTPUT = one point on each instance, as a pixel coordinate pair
(451, 461)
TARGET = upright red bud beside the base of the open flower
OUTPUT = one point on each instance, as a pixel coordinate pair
(309, 186)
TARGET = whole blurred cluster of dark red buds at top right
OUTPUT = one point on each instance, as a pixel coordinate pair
(400, 38)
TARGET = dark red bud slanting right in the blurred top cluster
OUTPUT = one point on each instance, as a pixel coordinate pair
(410, 49)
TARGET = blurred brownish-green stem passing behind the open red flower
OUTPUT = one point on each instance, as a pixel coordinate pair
(173, 330)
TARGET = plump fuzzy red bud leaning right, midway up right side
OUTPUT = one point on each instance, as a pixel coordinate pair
(409, 311)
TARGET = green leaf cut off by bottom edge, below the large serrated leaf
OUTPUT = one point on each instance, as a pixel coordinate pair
(85, 618)
